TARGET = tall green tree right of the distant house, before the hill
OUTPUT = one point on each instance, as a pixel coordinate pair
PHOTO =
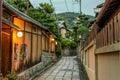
(81, 28)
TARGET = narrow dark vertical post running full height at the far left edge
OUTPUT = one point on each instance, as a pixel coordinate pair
(0, 38)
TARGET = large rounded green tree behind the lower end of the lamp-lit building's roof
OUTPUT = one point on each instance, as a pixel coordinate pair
(43, 14)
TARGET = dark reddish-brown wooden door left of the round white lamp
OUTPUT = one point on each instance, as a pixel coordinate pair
(6, 52)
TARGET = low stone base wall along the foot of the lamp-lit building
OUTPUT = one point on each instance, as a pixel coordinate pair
(45, 61)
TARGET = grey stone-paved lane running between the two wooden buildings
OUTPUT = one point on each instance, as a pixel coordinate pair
(66, 69)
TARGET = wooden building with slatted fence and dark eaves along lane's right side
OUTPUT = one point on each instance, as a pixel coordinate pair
(101, 53)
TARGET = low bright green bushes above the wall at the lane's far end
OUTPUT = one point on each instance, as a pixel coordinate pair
(67, 43)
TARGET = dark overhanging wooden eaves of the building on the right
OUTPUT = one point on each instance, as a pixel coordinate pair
(108, 9)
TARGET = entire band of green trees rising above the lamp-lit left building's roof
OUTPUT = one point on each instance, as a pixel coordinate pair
(43, 14)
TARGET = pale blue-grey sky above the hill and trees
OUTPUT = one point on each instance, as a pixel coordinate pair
(60, 6)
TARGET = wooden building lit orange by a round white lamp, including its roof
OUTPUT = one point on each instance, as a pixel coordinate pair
(23, 50)
